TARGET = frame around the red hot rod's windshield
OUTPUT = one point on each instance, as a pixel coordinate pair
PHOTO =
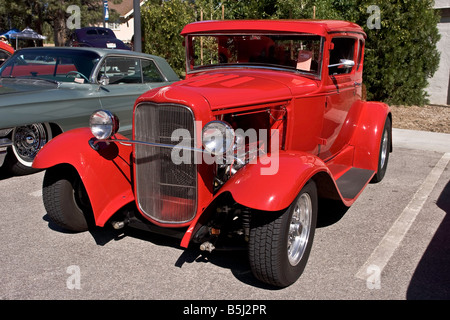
(192, 69)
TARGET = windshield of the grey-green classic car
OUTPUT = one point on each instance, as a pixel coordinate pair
(58, 65)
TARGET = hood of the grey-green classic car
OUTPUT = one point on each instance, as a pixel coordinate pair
(19, 85)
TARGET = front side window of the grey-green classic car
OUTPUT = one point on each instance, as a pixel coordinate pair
(121, 70)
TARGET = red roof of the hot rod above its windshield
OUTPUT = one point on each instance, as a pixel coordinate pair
(320, 27)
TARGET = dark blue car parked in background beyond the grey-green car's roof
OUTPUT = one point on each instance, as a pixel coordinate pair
(96, 37)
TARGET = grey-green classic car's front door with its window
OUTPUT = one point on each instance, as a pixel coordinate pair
(122, 80)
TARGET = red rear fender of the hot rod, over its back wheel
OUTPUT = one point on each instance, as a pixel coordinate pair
(367, 135)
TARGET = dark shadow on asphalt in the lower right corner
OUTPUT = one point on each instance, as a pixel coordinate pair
(431, 279)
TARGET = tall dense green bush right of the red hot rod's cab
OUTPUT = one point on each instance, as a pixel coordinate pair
(400, 56)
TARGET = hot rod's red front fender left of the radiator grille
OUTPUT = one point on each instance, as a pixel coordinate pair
(106, 174)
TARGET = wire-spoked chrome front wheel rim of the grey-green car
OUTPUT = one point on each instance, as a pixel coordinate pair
(27, 141)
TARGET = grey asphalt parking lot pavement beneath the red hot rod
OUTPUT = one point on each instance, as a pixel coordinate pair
(393, 243)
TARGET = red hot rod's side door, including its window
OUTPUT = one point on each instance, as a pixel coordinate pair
(341, 95)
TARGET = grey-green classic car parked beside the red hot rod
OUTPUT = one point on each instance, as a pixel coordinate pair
(47, 91)
